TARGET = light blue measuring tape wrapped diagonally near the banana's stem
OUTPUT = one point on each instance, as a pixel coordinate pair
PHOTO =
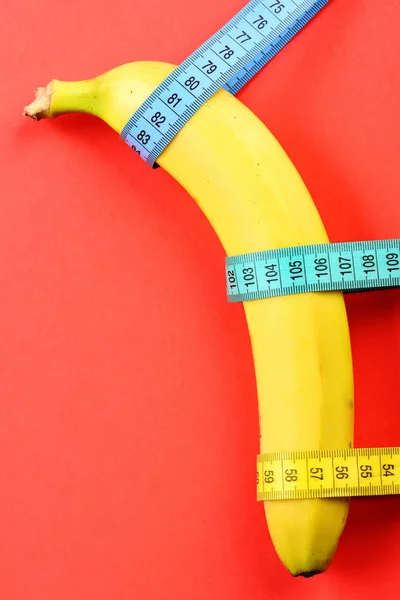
(228, 59)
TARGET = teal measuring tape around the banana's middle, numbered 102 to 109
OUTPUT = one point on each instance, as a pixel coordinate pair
(347, 266)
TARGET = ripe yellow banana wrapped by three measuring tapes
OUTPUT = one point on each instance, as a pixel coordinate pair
(254, 198)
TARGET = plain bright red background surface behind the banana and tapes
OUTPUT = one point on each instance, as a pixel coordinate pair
(128, 415)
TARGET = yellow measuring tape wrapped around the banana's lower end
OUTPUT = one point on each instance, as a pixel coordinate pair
(328, 473)
